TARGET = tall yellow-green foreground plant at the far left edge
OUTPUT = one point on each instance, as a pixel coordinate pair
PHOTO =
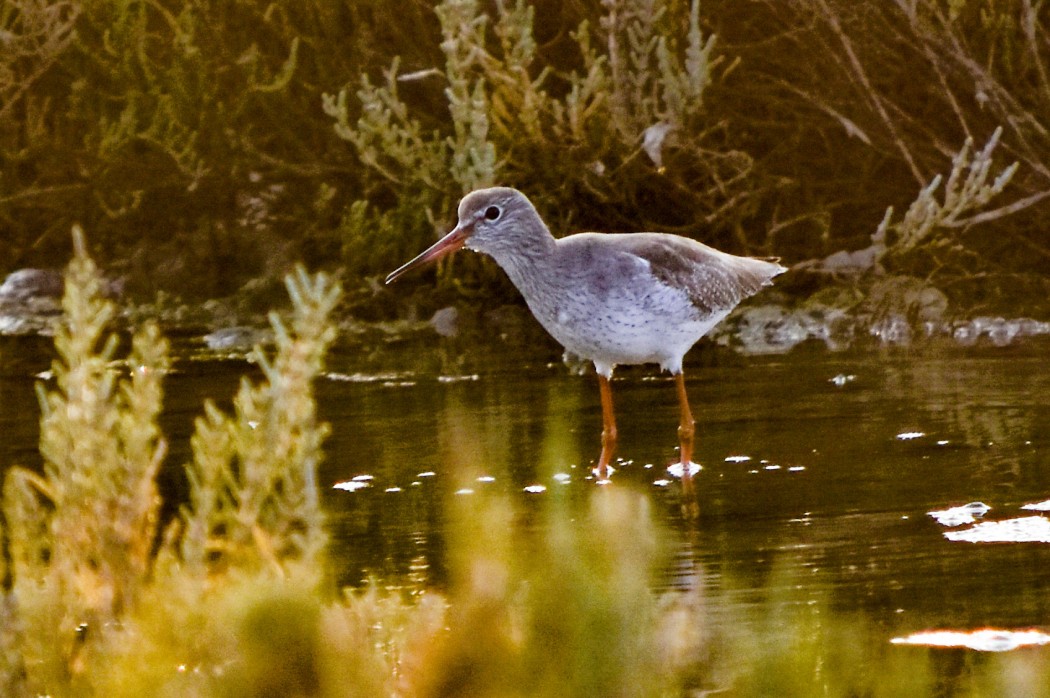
(81, 536)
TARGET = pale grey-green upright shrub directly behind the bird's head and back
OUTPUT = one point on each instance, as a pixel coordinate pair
(623, 125)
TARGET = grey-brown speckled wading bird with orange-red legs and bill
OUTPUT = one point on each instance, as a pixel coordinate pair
(612, 299)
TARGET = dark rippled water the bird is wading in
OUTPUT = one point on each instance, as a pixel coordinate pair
(820, 470)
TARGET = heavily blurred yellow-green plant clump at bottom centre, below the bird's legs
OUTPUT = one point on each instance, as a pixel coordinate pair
(572, 615)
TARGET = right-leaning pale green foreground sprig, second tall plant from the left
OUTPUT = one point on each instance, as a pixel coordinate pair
(254, 489)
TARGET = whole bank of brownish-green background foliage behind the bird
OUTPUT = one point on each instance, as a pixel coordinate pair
(212, 143)
